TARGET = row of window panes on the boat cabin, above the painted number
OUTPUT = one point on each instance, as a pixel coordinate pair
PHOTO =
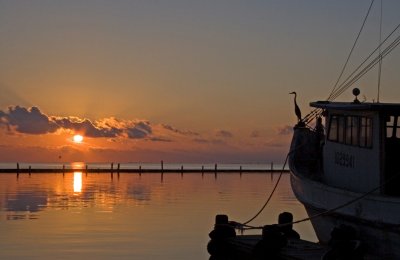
(351, 130)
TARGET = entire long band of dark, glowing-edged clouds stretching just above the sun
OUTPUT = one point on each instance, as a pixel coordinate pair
(32, 121)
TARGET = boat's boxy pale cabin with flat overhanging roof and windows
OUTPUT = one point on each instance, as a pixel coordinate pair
(361, 150)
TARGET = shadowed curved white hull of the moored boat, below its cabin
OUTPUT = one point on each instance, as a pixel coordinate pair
(375, 218)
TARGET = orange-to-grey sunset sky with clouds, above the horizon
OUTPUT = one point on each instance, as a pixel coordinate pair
(182, 81)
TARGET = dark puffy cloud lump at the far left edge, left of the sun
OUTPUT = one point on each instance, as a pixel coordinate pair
(27, 121)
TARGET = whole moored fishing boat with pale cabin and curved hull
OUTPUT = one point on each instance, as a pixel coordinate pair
(352, 171)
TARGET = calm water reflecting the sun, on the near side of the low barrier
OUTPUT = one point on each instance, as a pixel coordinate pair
(76, 216)
